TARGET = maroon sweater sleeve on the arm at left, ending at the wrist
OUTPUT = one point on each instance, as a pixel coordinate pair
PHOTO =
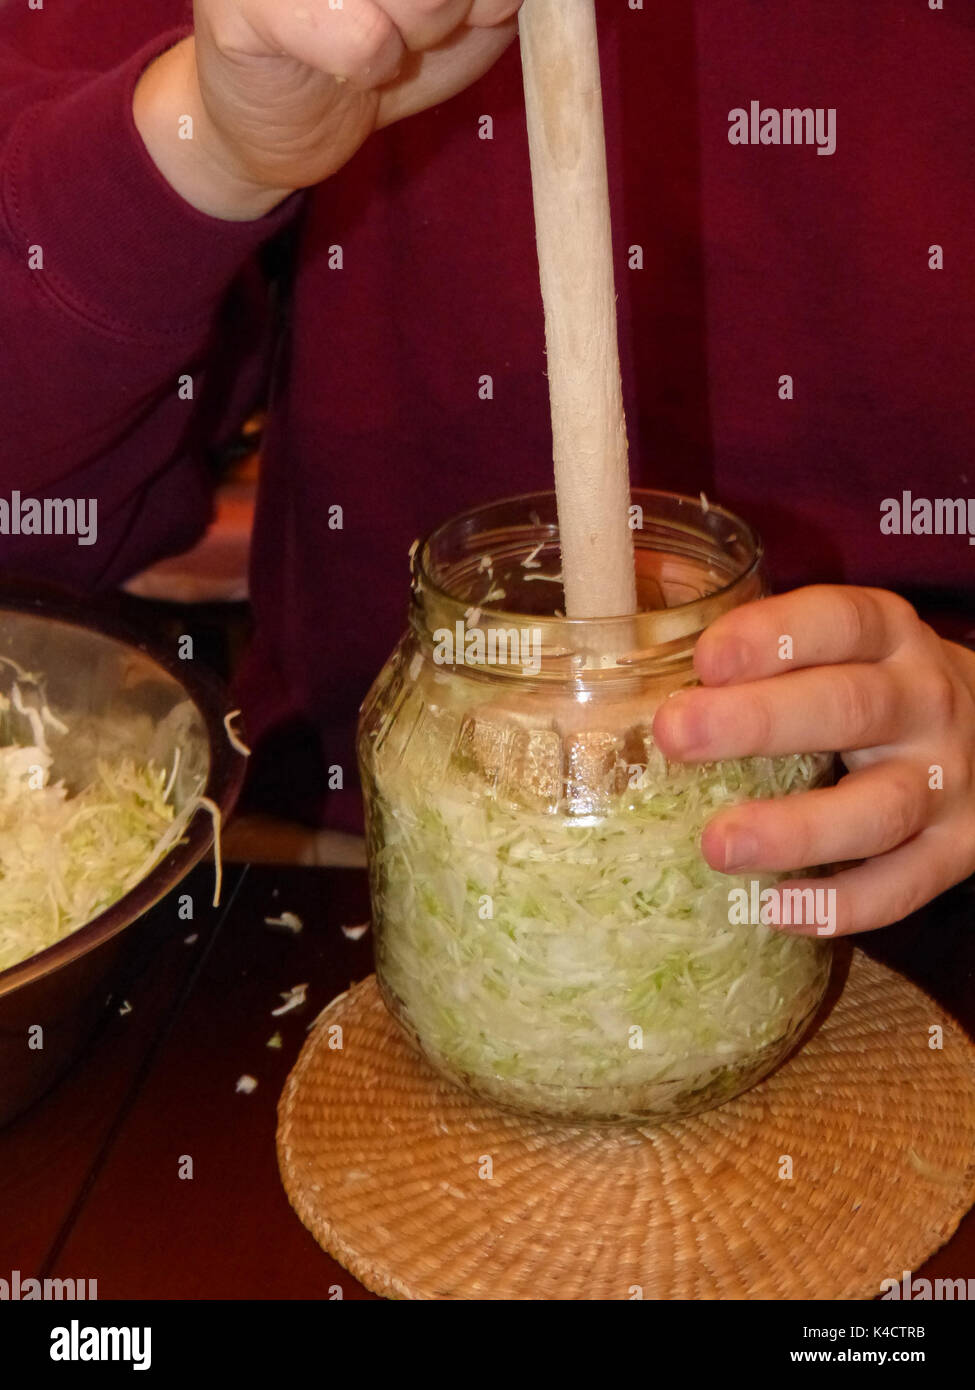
(130, 327)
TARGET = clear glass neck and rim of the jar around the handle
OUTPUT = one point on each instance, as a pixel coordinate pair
(487, 593)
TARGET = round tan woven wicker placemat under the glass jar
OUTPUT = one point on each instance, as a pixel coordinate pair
(383, 1163)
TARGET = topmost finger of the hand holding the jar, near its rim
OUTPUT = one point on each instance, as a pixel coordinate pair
(823, 625)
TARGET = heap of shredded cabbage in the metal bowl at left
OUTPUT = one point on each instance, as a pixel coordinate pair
(72, 846)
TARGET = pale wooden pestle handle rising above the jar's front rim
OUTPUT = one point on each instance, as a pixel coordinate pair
(567, 141)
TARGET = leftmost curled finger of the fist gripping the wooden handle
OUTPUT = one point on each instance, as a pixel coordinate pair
(360, 42)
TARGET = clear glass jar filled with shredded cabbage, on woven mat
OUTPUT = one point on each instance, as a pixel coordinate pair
(547, 931)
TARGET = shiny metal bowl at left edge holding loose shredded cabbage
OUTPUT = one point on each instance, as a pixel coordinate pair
(116, 697)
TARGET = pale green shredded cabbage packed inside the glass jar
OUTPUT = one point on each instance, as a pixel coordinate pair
(583, 967)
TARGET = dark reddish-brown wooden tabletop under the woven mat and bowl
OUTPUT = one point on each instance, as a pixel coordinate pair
(91, 1181)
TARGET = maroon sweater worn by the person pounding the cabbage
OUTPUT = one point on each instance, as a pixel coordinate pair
(760, 261)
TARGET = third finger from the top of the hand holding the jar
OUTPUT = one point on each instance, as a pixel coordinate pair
(867, 814)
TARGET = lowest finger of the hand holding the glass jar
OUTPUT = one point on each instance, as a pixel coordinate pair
(887, 889)
